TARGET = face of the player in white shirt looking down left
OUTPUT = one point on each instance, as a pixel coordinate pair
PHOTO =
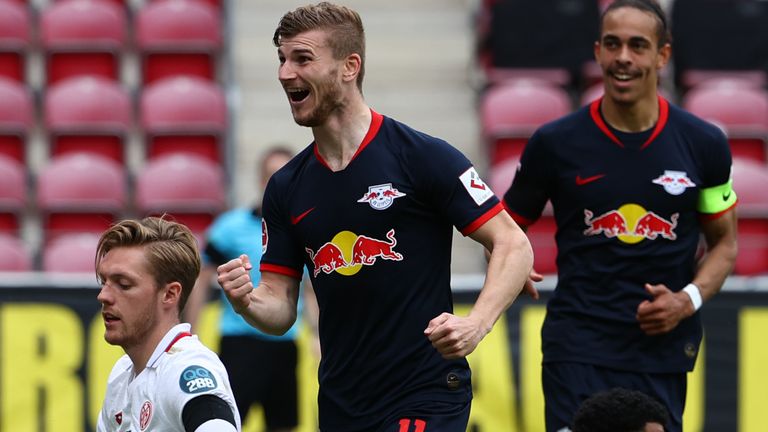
(132, 304)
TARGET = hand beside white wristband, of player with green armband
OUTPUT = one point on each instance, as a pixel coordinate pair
(665, 311)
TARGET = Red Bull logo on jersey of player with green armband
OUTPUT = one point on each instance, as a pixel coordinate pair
(631, 223)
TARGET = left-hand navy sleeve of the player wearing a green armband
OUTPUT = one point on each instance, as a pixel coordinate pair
(526, 197)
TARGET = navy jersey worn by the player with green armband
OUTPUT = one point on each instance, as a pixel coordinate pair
(627, 208)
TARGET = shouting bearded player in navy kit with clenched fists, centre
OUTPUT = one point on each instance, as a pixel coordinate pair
(369, 208)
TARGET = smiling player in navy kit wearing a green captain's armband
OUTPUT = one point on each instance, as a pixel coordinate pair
(633, 182)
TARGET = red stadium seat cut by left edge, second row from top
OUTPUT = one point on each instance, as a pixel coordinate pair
(16, 119)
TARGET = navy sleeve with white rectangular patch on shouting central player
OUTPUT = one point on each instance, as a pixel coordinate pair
(454, 186)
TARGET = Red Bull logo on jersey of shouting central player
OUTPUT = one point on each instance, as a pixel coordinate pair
(348, 252)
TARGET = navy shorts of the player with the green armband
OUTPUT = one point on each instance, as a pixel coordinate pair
(567, 385)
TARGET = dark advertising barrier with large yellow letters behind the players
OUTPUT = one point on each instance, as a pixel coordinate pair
(54, 362)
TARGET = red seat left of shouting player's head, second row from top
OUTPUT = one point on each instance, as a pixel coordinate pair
(184, 114)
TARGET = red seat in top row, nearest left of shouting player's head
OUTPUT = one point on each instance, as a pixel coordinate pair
(179, 37)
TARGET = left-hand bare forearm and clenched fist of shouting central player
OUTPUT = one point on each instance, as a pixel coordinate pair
(271, 307)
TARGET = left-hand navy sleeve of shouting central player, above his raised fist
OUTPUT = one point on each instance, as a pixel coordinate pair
(281, 253)
